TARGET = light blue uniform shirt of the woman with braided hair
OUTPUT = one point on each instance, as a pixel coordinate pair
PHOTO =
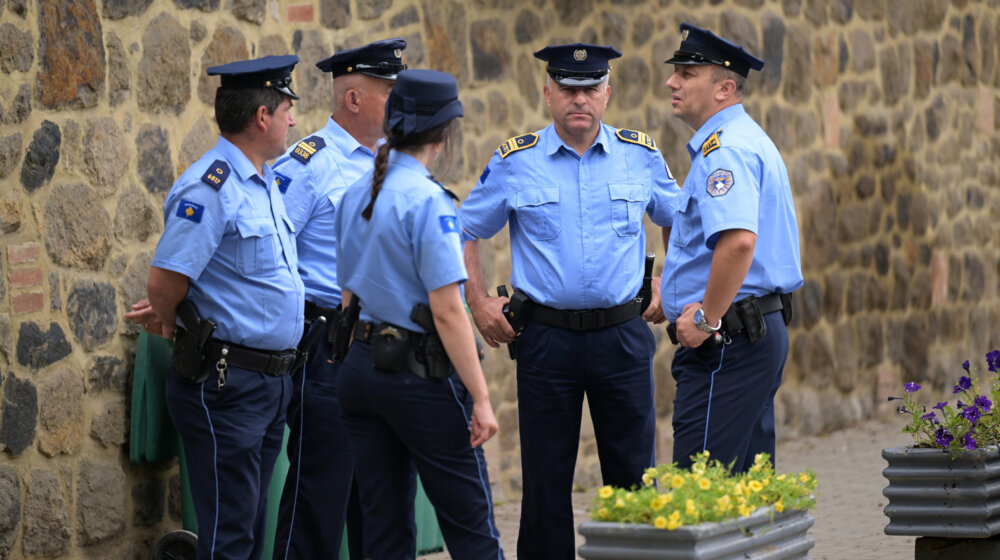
(410, 247)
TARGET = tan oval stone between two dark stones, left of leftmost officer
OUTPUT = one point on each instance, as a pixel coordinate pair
(105, 155)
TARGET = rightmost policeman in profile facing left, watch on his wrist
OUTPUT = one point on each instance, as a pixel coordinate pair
(734, 239)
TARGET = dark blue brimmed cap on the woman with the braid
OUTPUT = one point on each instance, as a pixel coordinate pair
(421, 100)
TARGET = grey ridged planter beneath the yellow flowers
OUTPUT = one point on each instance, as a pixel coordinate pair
(756, 536)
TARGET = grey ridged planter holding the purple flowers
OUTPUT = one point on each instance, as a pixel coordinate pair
(931, 494)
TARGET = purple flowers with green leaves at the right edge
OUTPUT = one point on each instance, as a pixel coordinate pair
(970, 424)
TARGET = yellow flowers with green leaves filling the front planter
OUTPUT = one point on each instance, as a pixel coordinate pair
(672, 497)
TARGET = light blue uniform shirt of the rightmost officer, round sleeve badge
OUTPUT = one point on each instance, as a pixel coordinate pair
(740, 184)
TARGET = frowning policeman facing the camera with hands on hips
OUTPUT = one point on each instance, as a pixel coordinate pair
(574, 194)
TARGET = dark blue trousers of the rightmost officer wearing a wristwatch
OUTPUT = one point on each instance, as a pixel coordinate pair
(740, 413)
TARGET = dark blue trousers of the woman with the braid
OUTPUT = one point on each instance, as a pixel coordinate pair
(398, 421)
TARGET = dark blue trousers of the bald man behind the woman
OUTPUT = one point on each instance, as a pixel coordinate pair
(319, 494)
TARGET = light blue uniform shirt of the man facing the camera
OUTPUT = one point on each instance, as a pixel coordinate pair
(576, 230)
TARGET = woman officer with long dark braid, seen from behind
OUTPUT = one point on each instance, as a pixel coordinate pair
(399, 248)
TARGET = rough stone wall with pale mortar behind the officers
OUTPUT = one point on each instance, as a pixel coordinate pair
(885, 111)
